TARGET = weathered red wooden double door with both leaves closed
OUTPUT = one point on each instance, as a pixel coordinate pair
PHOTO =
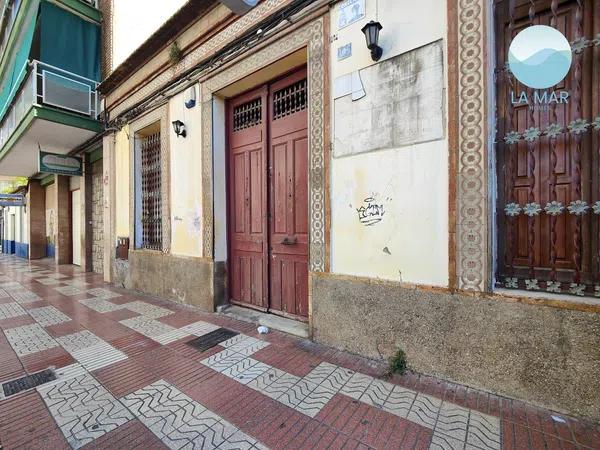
(267, 199)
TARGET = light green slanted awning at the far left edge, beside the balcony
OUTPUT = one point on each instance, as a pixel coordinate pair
(17, 68)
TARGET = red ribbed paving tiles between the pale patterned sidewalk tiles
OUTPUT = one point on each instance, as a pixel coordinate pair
(342, 423)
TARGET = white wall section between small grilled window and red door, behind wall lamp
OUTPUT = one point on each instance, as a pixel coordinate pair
(186, 178)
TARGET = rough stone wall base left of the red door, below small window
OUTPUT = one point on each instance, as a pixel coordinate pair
(182, 279)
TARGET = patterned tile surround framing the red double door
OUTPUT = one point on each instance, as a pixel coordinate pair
(311, 37)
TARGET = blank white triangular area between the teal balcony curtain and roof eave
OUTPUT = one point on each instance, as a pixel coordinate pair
(134, 21)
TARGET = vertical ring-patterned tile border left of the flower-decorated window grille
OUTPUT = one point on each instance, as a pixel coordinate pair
(472, 269)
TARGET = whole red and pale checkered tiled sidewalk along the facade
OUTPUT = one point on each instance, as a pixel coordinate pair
(127, 378)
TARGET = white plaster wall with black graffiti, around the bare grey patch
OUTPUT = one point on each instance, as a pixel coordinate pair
(410, 243)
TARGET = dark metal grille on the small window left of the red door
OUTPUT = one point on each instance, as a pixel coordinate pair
(151, 193)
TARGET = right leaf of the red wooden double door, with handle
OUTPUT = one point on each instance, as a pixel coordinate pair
(288, 156)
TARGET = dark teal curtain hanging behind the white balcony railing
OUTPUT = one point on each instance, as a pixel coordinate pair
(69, 42)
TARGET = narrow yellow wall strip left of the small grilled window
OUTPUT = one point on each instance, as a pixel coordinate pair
(122, 175)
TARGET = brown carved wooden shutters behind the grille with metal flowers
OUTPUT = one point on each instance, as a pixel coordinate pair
(548, 154)
